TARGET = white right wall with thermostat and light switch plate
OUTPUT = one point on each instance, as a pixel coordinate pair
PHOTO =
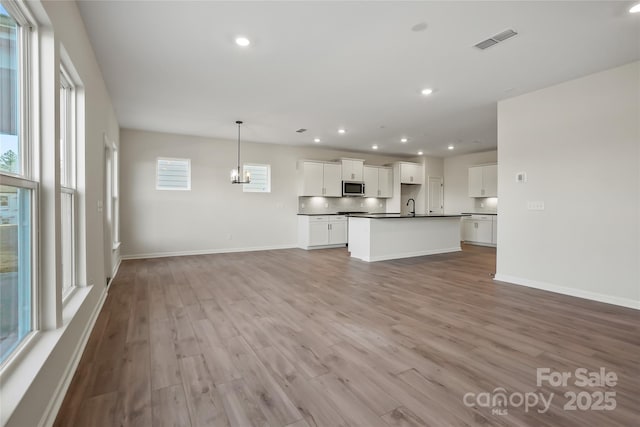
(579, 144)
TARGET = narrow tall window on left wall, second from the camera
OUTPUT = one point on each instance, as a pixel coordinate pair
(67, 182)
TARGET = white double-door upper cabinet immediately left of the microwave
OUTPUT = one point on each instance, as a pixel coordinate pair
(321, 179)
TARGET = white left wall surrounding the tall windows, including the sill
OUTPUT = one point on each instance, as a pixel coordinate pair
(33, 388)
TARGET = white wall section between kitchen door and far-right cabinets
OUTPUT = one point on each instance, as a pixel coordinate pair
(456, 180)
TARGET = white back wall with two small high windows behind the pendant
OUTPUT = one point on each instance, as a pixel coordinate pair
(215, 216)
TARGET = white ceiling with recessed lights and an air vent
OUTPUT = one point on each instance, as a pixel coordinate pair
(174, 67)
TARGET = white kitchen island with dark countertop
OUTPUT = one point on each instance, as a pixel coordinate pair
(378, 237)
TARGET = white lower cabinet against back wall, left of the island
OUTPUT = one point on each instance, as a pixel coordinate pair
(321, 231)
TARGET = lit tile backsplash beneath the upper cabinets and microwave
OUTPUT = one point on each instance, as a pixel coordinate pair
(331, 205)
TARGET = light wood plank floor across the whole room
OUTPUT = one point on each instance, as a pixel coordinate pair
(313, 338)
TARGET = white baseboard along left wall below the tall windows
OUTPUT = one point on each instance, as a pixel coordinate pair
(49, 416)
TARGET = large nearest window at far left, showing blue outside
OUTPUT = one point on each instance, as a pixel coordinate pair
(18, 190)
